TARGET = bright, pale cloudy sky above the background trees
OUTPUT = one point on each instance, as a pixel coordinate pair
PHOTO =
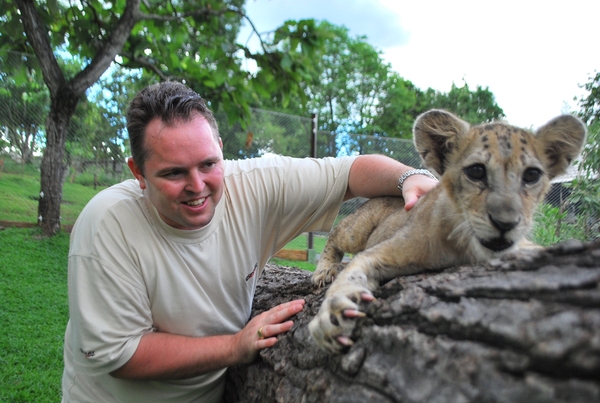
(533, 55)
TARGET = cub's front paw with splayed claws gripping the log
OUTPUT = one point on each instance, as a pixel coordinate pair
(332, 327)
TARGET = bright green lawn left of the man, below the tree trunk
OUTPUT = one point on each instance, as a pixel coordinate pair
(33, 313)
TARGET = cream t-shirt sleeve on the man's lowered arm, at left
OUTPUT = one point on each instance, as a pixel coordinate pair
(109, 306)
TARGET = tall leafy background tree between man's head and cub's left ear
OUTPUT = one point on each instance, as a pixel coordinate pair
(346, 81)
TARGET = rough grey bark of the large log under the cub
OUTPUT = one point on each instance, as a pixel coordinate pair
(522, 329)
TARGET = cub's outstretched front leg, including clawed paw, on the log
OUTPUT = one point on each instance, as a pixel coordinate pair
(333, 325)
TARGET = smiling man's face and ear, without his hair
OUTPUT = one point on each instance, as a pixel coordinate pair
(183, 172)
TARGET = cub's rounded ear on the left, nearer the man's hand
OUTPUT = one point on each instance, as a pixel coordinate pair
(435, 134)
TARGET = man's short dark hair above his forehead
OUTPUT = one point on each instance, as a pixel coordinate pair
(170, 101)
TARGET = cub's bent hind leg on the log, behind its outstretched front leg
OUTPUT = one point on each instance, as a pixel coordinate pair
(351, 235)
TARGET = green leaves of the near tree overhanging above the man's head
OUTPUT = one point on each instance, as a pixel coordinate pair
(193, 41)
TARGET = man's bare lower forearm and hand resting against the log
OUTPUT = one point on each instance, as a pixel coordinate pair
(170, 356)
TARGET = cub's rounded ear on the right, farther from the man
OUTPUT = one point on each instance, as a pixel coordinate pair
(559, 142)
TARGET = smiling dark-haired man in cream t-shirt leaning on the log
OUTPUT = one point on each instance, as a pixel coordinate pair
(162, 270)
